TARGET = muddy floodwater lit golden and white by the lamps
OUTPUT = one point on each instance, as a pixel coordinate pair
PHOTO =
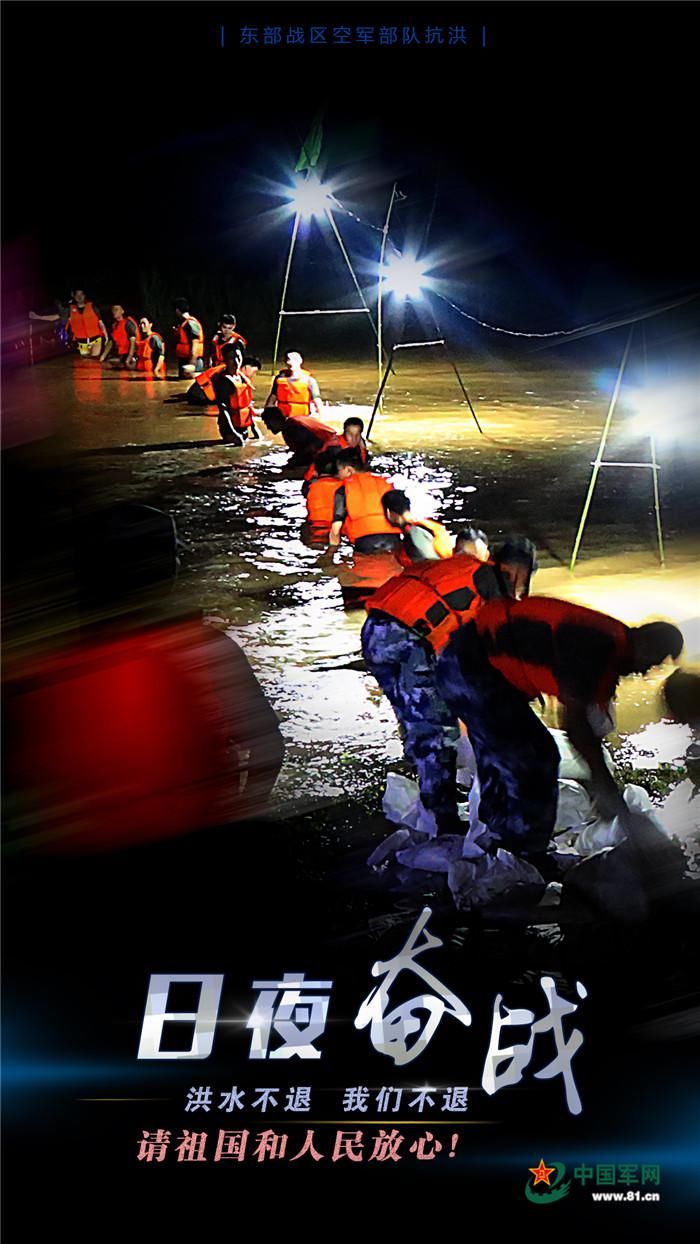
(239, 516)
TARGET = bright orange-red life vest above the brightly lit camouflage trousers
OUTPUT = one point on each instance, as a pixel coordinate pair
(432, 598)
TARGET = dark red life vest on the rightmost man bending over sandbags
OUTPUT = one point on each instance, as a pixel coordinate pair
(520, 640)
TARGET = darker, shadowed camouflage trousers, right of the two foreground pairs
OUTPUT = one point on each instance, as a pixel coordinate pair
(518, 759)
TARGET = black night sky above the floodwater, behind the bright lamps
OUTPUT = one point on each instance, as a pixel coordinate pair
(560, 160)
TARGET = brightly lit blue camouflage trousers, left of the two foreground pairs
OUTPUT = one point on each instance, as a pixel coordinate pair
(405, 667)
